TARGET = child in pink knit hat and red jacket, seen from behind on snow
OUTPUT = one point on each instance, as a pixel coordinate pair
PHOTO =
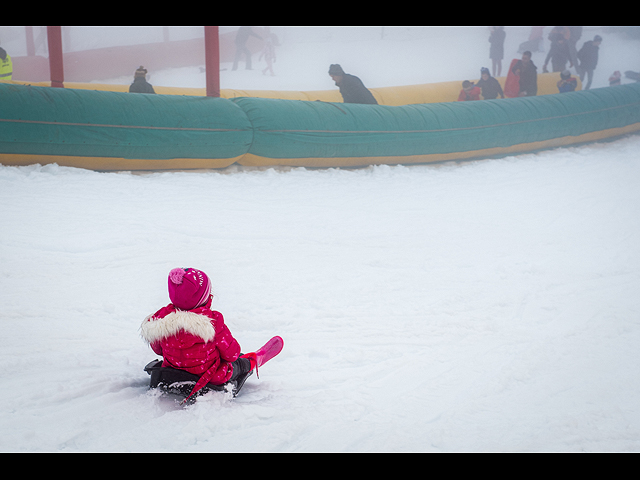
(192, 337)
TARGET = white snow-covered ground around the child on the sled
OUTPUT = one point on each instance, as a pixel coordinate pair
(483, 306)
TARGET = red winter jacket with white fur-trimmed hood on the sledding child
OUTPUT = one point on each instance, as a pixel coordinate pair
(196, 341)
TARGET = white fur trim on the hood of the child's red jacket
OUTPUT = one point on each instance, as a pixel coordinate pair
(154, 329)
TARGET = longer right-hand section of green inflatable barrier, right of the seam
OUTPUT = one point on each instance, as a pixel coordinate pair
(329, 134)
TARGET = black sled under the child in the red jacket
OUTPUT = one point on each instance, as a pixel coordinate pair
(179, 382)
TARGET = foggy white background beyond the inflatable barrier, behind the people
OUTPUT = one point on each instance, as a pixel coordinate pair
(401, 56)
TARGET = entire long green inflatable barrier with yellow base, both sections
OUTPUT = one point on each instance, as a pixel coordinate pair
(123, 131)
